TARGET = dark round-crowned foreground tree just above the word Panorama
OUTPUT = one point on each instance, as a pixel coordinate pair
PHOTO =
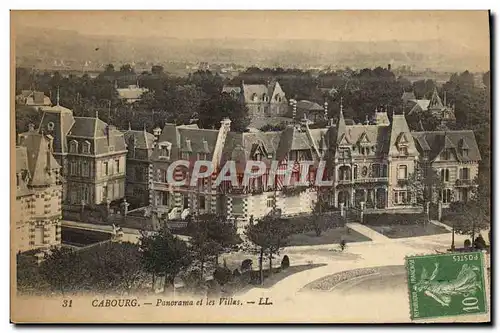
(164, 254)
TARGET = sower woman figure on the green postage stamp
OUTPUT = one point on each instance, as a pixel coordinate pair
(466, 283)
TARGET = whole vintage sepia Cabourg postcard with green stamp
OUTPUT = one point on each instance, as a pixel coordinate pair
(250, 166)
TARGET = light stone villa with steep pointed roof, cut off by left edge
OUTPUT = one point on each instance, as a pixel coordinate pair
(37, 209)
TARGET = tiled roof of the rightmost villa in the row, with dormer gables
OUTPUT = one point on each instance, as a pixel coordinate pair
(435, 142)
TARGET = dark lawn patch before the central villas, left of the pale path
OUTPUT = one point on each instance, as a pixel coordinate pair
(330, 236)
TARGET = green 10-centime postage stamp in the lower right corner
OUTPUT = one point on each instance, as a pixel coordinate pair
(446, 285)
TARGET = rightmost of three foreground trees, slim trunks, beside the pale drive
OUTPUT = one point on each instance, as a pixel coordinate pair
(268, 235)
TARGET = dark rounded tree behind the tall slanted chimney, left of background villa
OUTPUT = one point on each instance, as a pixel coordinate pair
(221, 106)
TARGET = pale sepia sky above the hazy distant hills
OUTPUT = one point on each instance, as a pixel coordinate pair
(467, 28)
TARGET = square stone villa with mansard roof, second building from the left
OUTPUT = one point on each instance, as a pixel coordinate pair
(92, 155)
